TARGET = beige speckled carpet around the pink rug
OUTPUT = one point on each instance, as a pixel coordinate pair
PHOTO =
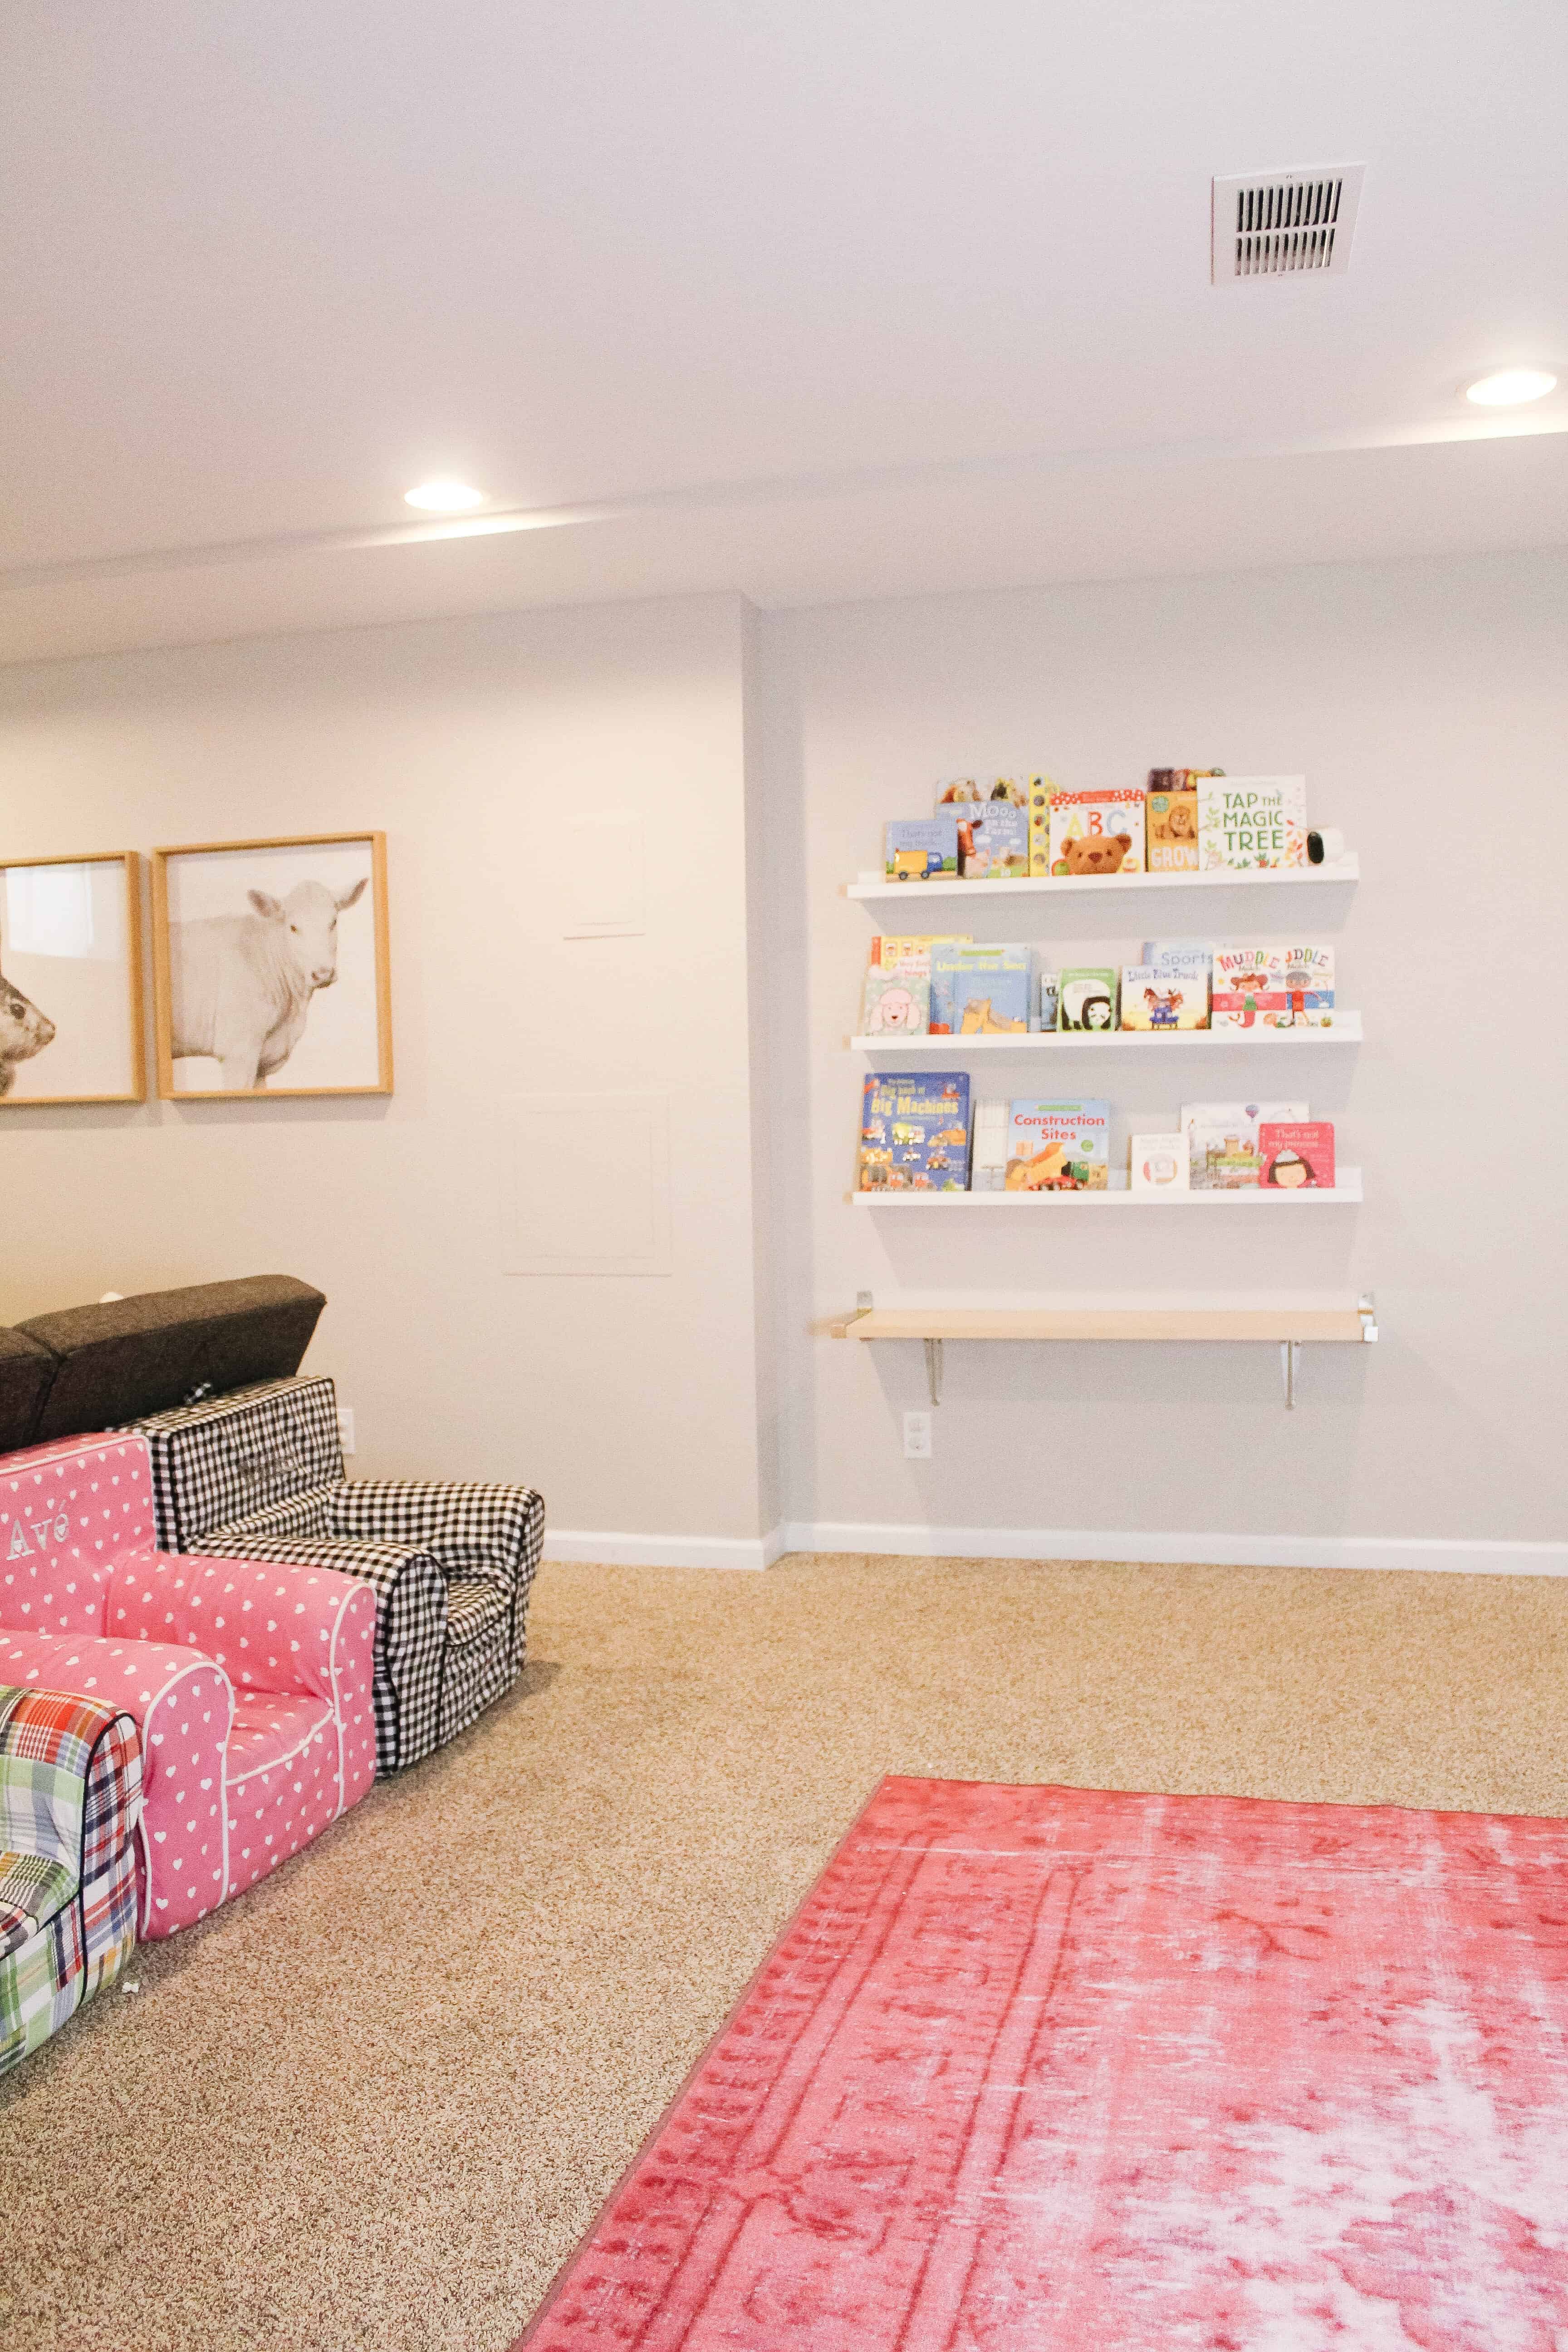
(380, 2099)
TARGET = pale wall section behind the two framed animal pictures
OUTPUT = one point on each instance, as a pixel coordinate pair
(634, 1403)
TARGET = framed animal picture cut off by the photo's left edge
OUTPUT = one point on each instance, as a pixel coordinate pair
(72, 982)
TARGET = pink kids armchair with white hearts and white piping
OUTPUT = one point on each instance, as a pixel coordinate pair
(248, 1683)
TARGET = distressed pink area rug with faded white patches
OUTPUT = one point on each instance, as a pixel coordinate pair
(1045, 2069)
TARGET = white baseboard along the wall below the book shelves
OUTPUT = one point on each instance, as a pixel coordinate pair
(1430, 1553)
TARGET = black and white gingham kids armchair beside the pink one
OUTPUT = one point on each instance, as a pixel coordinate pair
(260, 1476)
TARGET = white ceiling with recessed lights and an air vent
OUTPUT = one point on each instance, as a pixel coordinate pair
(777, 295)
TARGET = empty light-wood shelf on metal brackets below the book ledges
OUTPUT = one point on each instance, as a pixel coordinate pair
(1353, 1325)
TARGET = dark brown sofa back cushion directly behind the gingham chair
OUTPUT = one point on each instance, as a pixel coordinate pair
(142, 1356)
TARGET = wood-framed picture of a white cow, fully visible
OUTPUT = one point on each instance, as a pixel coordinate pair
(272, 968)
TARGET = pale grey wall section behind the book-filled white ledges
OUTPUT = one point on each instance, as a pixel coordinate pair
(1428, 709)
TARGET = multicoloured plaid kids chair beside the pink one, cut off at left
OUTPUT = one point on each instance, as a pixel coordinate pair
(69, 1812)
